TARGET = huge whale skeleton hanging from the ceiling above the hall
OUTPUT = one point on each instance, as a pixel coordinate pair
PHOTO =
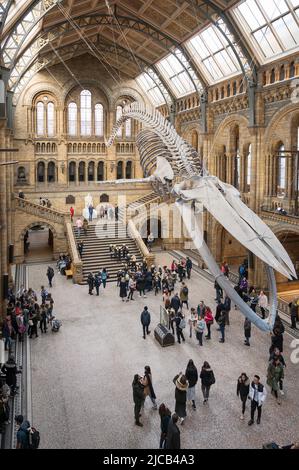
(167, 158)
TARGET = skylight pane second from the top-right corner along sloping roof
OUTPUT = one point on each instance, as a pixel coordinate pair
(213, 54)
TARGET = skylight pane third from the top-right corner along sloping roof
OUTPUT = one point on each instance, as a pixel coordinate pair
(176, 76)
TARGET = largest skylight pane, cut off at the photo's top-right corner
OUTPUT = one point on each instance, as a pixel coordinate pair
(272, 25)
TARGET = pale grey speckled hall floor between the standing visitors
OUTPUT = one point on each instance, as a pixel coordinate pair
(82, 376)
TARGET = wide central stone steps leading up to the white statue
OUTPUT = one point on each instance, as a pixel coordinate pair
(96, 254)
